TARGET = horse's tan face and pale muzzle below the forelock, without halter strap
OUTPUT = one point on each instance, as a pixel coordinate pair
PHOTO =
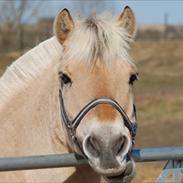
(105, 140)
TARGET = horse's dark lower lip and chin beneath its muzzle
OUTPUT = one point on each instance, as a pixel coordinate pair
(126, 176)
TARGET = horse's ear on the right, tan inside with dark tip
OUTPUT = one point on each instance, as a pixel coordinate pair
(127, 20)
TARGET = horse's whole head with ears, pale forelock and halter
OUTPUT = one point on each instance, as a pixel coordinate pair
(96, 90)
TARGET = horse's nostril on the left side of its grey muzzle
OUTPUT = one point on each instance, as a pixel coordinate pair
(92, 146)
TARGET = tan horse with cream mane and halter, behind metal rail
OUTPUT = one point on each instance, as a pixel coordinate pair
(73, 93)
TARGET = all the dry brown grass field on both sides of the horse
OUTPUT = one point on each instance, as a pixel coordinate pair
(158, 95)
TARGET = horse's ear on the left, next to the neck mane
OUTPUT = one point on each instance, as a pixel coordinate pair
(63, 25)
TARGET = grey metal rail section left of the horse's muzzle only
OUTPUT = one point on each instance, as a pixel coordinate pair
(41, 162)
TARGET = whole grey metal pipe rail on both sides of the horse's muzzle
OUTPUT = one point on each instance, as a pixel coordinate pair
(67, 160)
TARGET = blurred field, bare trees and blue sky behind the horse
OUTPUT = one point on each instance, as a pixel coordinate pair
(157, 51)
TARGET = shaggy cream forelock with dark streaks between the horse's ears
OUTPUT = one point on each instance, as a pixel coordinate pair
(95, 37)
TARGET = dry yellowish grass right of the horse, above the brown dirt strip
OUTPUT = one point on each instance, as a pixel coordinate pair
(159, 92)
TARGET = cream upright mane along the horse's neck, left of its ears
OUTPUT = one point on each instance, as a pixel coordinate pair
(28, 67)
